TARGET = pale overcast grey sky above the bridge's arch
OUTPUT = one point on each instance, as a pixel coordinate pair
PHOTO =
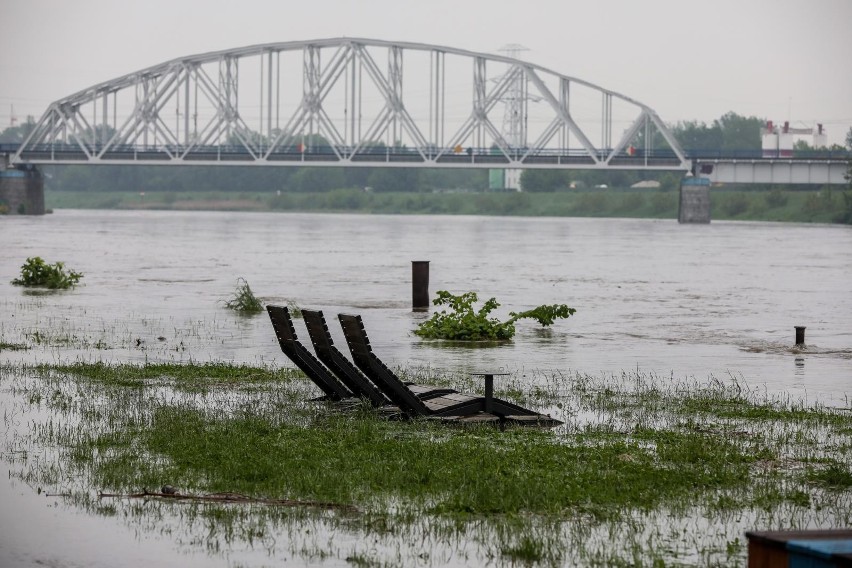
(689, 60)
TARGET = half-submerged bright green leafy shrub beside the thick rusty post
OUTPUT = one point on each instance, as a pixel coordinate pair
(465, 324)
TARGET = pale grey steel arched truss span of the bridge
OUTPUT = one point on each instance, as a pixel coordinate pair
(352, 102)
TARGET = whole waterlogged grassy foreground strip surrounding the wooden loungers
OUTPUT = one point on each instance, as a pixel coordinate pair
(634, 449)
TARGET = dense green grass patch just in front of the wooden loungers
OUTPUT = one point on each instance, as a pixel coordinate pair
(471, 472)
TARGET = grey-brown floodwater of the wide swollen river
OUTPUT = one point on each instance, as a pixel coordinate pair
(665, 299)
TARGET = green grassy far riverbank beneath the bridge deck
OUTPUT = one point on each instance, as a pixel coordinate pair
(817, 206)
